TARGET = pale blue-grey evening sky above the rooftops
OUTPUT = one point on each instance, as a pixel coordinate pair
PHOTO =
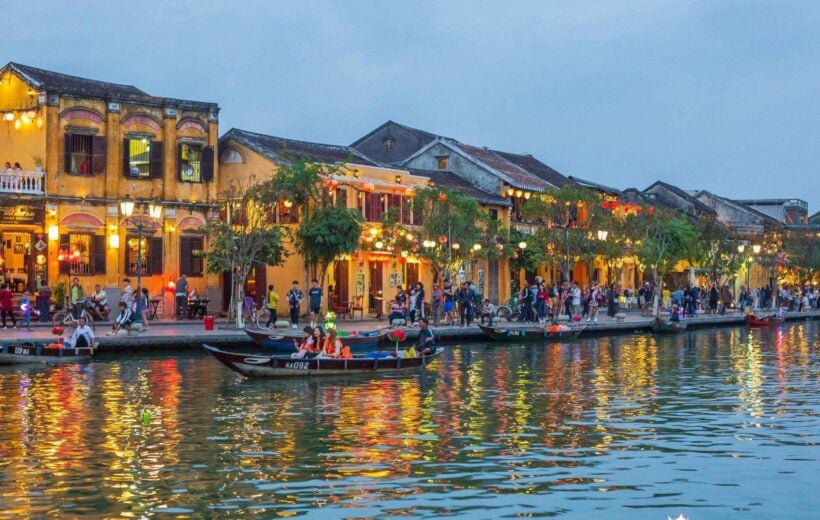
(716, 95)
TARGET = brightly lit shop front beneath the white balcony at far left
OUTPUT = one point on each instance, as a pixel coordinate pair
(24, 251)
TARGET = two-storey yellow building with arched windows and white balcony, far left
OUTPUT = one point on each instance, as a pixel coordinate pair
(82, 146)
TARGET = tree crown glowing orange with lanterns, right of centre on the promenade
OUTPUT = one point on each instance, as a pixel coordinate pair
(567, 220)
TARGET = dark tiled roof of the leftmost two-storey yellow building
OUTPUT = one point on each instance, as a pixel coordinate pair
(67, 85)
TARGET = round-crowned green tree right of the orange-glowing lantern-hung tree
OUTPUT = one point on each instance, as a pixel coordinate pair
(668, 240)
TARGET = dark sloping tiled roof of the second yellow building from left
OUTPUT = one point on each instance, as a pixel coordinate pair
(279, 149)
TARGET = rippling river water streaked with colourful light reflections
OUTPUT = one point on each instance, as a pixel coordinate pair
(714, 423)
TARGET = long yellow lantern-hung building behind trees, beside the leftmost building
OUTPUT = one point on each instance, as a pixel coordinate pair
(368, 278)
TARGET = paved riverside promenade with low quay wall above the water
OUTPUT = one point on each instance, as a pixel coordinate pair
(176, 335)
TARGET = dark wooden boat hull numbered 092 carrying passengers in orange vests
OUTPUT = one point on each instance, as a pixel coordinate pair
(254, 365)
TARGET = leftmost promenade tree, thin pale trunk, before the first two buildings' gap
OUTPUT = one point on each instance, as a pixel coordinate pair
(247, 237)
